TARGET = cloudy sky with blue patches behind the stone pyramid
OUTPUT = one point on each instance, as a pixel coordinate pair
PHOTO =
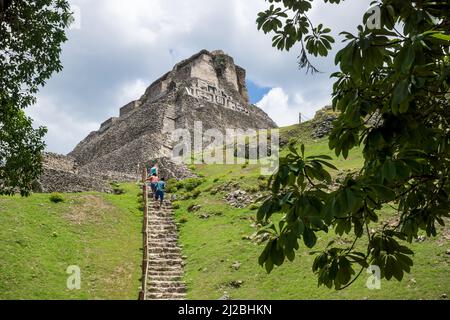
(122, 46)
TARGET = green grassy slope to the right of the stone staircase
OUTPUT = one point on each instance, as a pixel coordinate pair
(216, 236)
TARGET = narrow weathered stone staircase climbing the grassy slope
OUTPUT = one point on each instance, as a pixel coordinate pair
(165, 267)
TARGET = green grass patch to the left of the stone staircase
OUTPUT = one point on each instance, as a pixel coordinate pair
(100, 233)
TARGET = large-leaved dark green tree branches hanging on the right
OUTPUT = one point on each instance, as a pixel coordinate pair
(392, 92)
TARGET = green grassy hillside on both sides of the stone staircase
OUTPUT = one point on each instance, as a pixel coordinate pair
(102, 235)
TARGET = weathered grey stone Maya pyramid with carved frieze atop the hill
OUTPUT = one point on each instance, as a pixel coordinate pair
(208, 87)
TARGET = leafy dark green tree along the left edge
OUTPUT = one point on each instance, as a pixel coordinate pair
(31, 35)
